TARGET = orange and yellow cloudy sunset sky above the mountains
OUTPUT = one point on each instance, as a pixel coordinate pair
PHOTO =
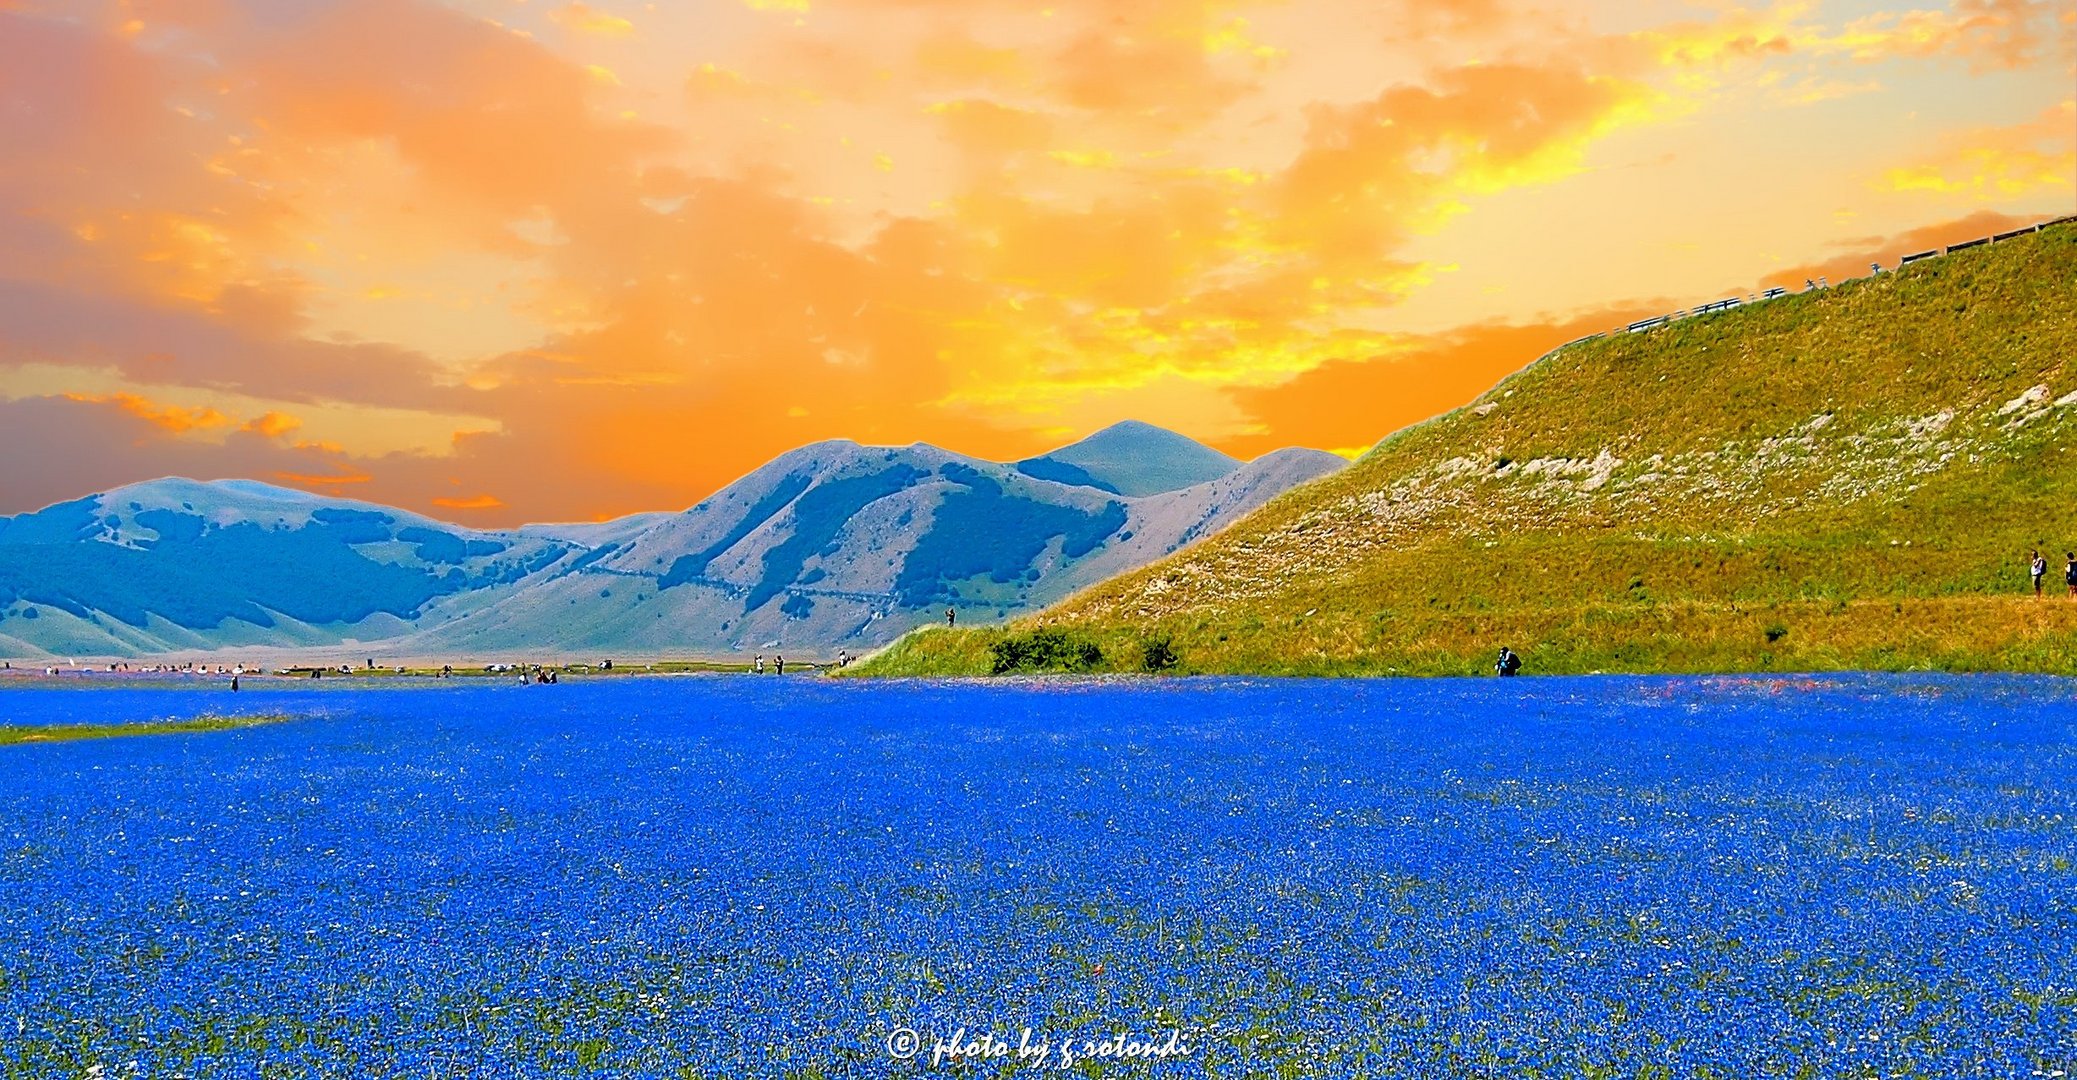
(533, 261)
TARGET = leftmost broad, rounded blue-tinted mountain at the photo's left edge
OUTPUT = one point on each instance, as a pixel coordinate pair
(190, 566)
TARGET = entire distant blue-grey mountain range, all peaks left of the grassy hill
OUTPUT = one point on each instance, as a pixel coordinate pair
(828, 547)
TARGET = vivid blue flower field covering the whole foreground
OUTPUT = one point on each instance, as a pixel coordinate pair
(780, 877)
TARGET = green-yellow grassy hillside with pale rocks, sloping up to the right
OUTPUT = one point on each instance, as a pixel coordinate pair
(1837, 479)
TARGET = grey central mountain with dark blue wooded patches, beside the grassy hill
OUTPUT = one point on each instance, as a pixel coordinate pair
(846, 547)
